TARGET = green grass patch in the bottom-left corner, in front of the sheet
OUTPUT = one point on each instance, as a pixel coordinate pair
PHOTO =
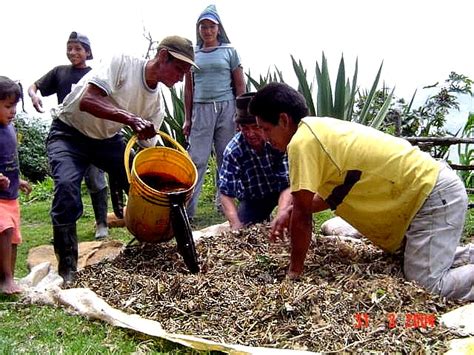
(47, 330)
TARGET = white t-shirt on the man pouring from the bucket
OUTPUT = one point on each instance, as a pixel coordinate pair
(123, 79)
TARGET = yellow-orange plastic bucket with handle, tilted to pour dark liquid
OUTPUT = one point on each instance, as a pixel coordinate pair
(156, 172)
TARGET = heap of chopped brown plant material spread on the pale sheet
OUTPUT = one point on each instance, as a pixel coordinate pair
(352, 296)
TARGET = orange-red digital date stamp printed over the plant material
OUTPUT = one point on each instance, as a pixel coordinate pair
(407, 320)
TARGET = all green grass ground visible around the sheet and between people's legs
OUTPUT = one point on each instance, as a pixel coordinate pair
(33, 329)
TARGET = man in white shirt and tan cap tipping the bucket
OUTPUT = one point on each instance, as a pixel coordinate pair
(86, 130)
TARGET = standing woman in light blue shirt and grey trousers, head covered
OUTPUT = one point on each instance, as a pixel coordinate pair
(210, 93)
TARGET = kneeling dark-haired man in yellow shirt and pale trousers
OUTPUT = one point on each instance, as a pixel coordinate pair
(389, 190)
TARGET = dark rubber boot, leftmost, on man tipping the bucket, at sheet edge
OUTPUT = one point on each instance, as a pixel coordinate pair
(66, 250)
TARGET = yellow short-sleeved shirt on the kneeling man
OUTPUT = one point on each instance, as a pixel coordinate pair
(375, 181)
